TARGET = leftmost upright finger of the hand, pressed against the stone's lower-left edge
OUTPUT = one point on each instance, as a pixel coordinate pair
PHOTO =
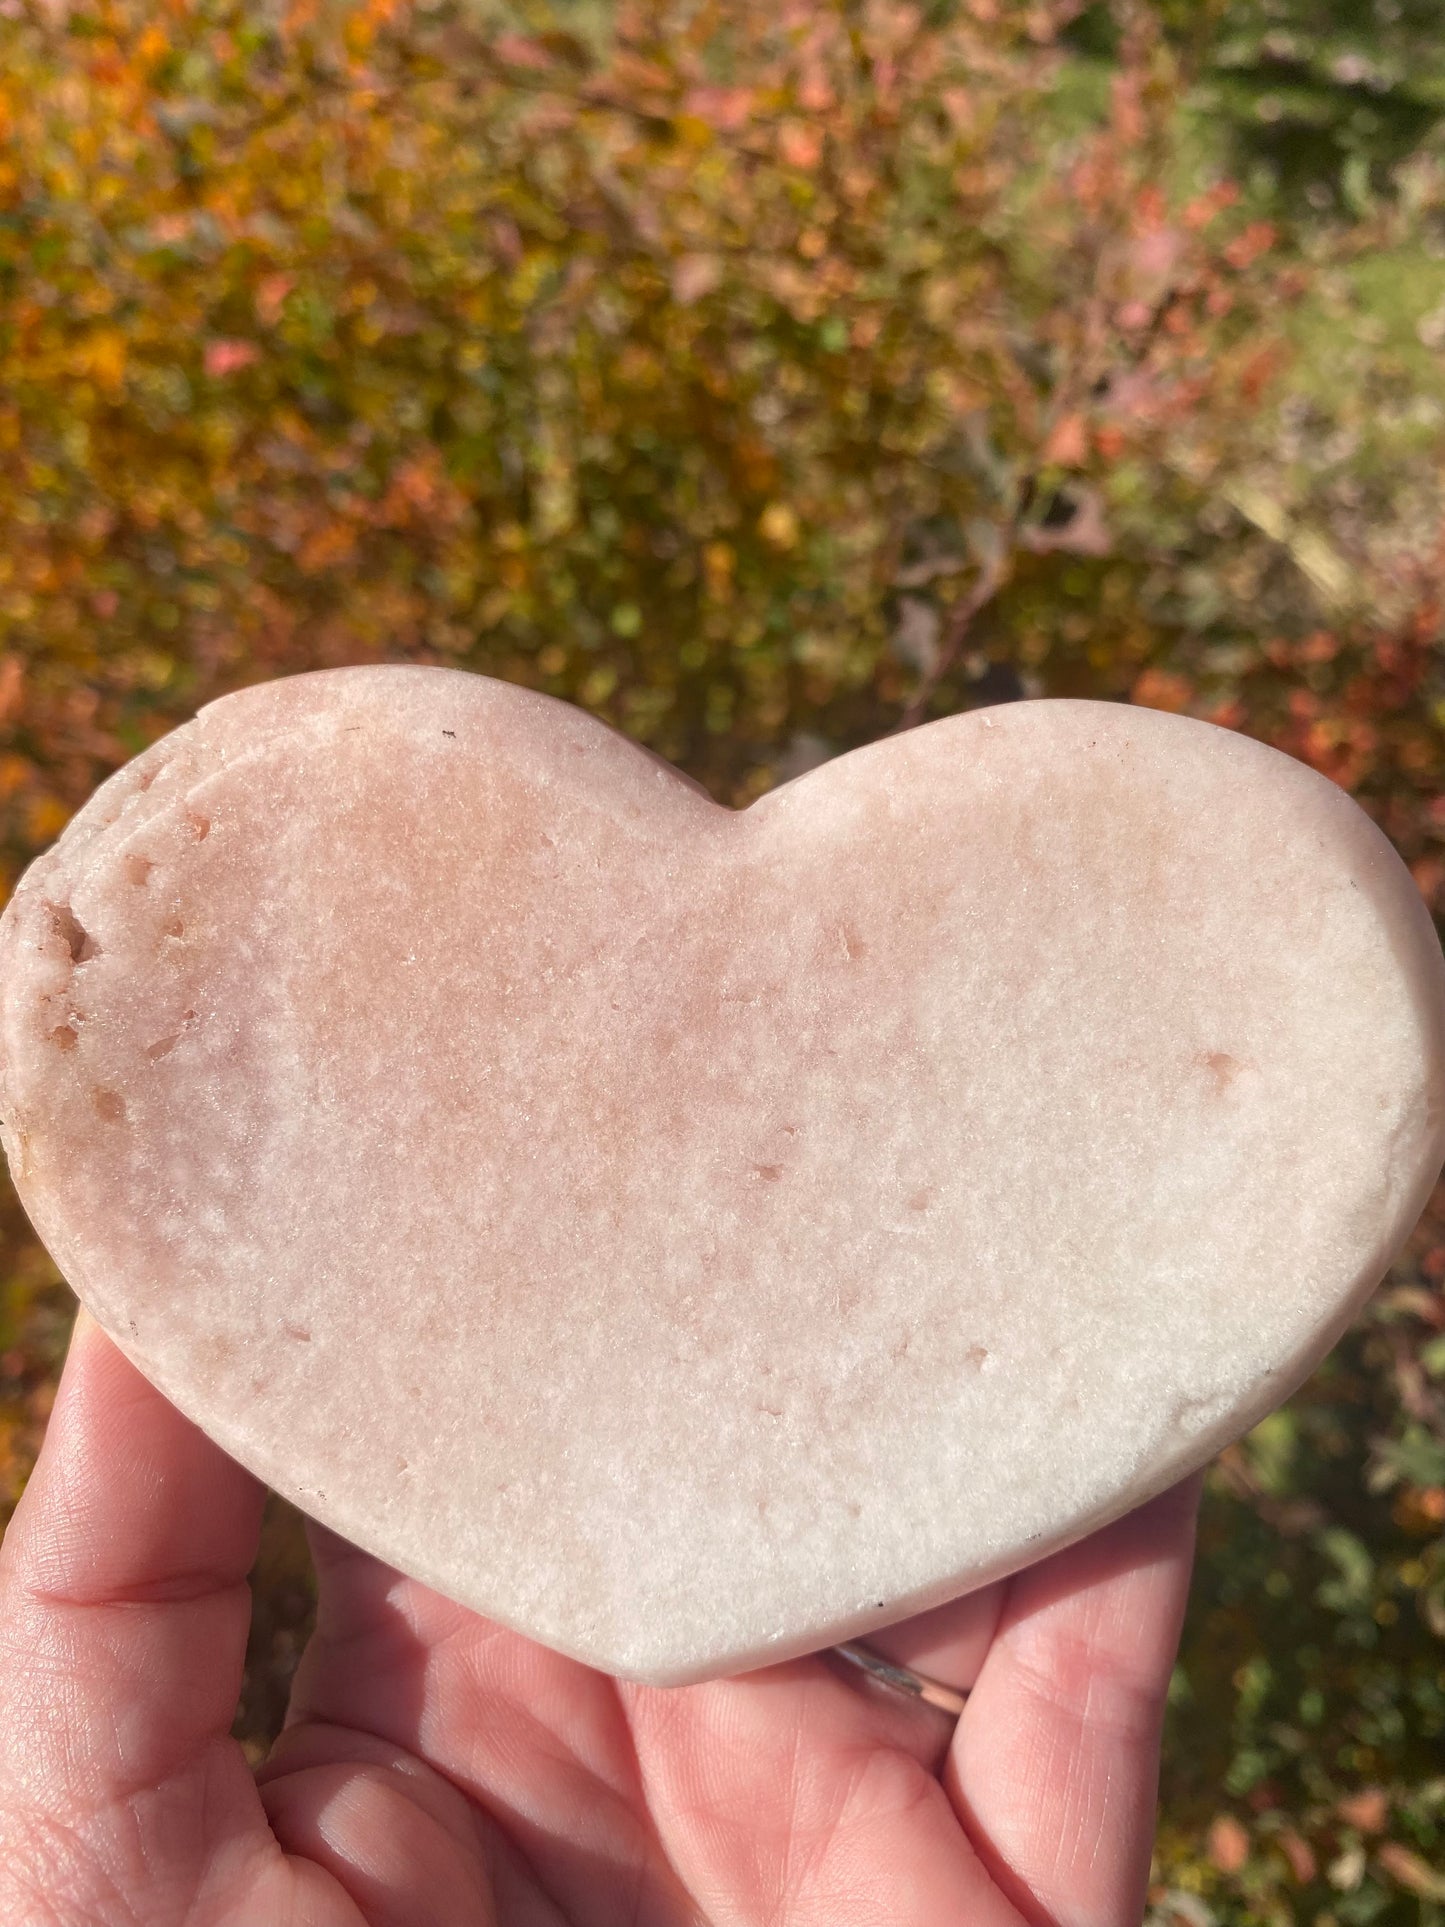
(124, 1616)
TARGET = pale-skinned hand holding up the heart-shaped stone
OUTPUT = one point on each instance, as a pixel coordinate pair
(442, 1772)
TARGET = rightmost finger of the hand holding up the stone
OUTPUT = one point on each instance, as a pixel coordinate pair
(1055, 1764)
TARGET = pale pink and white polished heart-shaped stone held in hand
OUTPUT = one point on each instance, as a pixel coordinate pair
(695, 1236)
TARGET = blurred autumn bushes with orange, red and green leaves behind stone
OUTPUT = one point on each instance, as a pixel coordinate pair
(764, 375)
